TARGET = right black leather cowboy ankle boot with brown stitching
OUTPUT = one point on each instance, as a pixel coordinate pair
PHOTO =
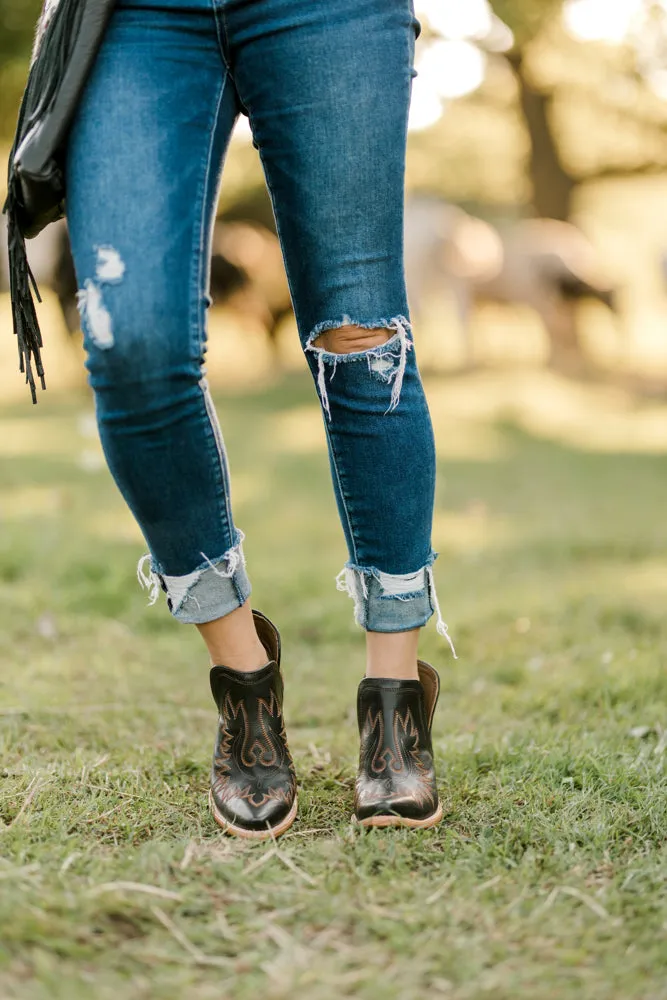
(396, 780)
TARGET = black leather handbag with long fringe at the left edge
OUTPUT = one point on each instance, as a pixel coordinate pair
(69, 34)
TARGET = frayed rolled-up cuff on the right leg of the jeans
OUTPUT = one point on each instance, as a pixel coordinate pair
(387, 602)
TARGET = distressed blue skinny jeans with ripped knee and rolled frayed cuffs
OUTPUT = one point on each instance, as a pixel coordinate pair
(326, 87)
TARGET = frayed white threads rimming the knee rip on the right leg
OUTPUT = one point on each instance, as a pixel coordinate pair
(386, 361)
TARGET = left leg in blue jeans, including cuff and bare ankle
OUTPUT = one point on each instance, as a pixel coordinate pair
(144, 161)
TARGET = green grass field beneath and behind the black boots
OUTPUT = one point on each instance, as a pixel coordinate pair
(548, 876)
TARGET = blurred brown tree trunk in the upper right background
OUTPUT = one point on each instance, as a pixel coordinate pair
(552, 184)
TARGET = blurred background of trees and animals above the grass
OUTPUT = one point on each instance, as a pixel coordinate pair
(536, 197)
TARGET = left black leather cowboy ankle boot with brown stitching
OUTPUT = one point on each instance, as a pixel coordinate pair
(253, 784)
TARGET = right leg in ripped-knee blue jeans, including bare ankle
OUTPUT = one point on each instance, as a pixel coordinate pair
(327, 89)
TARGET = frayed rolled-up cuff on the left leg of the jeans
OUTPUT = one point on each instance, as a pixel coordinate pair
(213, 590)
